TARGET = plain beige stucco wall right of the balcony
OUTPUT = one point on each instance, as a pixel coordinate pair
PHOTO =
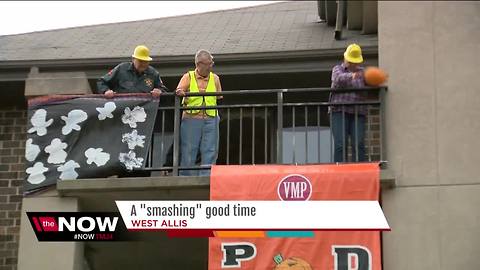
(431, 52)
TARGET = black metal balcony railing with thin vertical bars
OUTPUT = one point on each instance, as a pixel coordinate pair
(271, 126)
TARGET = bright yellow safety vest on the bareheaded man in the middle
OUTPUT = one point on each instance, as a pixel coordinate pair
(199, 100)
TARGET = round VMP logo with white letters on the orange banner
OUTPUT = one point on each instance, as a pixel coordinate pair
(294, 187)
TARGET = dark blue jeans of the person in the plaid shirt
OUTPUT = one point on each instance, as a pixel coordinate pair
(340, 136)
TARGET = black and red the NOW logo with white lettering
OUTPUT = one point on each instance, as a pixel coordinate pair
(75, 226)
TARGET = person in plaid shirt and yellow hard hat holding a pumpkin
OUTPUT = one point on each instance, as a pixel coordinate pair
(348, 120)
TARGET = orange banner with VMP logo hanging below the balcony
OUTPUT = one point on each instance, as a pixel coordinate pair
(337, 250)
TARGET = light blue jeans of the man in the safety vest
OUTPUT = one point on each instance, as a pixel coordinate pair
(198, 134)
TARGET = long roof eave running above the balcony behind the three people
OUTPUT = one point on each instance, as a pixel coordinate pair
(235, 63)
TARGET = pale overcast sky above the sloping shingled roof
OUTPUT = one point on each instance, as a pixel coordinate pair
(29, 16)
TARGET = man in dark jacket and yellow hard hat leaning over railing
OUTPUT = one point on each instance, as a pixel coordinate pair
(133, 77)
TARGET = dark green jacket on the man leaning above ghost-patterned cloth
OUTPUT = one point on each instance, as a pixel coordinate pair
(124, 79)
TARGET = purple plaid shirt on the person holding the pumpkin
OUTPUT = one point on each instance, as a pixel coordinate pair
(343, 78)
